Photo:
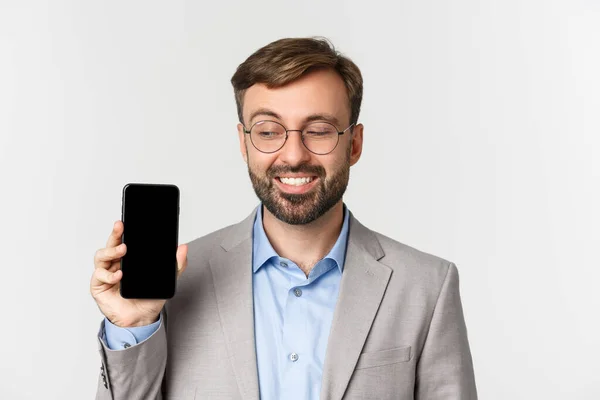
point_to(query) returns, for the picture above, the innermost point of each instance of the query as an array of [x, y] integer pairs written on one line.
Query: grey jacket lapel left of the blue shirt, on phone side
[[231, 268]]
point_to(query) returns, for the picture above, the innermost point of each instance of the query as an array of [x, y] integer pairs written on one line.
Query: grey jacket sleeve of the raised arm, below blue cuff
[[136, 372]]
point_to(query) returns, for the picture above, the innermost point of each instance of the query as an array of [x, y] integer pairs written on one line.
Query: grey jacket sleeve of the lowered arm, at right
[[445, 367]]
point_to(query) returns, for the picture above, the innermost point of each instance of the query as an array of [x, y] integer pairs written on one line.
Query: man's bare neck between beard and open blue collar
[[305, 244]]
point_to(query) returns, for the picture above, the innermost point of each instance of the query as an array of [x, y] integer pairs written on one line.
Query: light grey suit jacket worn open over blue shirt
[[398, 330]]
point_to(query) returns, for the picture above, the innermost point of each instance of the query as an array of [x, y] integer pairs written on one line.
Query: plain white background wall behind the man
[[481, 146]]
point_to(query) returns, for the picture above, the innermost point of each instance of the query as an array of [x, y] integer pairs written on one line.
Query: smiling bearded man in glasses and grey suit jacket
[[299, 300]]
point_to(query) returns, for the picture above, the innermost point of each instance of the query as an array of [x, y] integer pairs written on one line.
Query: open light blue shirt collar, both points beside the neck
[[263, 251]]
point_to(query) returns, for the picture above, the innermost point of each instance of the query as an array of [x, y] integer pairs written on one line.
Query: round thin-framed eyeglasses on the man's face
[[318, 137]]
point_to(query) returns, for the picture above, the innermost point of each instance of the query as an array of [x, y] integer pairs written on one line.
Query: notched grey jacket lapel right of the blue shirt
[[363, 284]]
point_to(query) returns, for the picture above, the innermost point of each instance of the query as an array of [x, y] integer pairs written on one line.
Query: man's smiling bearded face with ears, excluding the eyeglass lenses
[[275, 176]]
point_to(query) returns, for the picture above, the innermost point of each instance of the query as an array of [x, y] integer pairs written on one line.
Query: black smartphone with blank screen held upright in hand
[[150, 215]]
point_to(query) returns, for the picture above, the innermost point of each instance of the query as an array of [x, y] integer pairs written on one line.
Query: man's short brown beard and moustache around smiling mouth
[[302, 208]]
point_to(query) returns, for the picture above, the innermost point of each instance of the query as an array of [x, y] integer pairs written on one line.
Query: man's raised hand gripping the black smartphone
[[104, 286]]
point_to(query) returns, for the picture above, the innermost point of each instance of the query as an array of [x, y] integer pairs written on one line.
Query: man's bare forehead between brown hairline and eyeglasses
[[318, 92]]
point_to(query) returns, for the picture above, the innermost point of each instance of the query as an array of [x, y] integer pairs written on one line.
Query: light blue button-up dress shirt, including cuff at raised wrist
[[292, 315]]
